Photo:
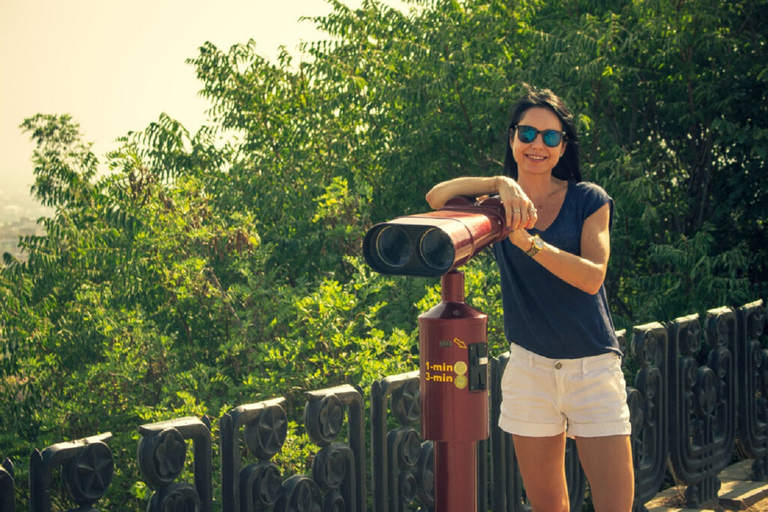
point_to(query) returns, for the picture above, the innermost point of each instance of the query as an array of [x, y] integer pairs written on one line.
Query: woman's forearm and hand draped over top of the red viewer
[[518, 208]]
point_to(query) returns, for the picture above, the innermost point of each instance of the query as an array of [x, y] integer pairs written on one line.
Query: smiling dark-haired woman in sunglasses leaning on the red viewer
[[564, 375]]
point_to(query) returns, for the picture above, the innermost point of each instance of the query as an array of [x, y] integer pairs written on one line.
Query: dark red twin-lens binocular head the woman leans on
[[432, 244]]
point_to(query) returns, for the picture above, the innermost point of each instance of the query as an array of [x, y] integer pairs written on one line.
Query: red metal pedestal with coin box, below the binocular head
[[454, 393]]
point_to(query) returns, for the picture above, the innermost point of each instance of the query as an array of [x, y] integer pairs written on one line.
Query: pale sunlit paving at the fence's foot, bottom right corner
[[737, 492]]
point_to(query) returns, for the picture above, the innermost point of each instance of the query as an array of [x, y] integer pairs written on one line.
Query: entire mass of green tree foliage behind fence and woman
[[204, 265]]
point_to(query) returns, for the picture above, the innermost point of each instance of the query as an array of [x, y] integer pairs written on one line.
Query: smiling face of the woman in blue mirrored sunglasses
[[536, 158]]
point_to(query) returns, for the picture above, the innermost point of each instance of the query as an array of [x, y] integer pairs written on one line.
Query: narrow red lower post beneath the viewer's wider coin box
[[455, 476]]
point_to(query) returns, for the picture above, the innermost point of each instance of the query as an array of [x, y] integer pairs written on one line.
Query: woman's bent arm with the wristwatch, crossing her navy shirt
[[585, 272]]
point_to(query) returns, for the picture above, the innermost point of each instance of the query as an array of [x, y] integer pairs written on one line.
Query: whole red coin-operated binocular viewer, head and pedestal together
[[452, 335]]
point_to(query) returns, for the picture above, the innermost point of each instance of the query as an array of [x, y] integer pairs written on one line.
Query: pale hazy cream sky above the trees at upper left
[[116, 65]]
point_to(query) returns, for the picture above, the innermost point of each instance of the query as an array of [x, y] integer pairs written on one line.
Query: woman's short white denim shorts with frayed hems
[[543, 397]]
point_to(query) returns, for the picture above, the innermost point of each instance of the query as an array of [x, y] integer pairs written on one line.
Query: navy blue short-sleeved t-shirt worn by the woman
[[543, 313]]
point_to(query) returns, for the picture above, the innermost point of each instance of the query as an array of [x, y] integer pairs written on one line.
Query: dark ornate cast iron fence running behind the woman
[[696, 391]]
